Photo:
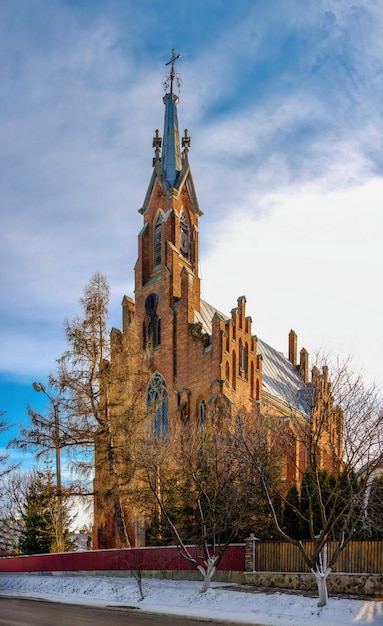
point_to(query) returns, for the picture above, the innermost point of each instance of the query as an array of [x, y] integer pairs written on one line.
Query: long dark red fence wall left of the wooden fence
[[161, 558]]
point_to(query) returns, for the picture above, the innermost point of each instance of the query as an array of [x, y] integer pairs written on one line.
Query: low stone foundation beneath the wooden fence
[[337, 583]]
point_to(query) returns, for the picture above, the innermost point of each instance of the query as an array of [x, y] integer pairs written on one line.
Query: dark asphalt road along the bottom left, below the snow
[[25, 612]]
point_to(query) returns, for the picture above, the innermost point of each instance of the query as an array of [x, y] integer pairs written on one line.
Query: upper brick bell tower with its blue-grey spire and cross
[[168, 241]]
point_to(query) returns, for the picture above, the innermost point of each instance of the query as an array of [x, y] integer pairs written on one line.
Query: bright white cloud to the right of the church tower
[[312, 263]]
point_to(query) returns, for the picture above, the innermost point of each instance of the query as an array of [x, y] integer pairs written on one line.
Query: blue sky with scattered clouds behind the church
[[282, 100]]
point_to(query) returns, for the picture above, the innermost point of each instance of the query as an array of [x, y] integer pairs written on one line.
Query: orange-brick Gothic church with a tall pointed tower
[[196, 357]]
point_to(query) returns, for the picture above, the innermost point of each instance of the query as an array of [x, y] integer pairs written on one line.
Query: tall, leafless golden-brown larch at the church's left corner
[[100, 396]]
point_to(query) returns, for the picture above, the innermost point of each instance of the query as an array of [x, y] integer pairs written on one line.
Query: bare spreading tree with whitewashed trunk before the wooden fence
[[343, 438]]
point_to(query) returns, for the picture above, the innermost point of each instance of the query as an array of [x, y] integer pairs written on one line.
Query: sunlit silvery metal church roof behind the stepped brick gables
[[280, 378]]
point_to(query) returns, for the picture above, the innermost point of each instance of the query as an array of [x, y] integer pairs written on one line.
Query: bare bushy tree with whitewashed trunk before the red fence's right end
[[203, 470]]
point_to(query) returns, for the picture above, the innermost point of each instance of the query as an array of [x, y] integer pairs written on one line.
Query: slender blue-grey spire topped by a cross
[[171, 150]]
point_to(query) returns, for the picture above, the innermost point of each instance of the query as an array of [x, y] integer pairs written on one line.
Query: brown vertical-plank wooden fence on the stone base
[[280, 556]]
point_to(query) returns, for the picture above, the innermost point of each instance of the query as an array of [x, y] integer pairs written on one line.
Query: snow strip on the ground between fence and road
[[222, 602]]
